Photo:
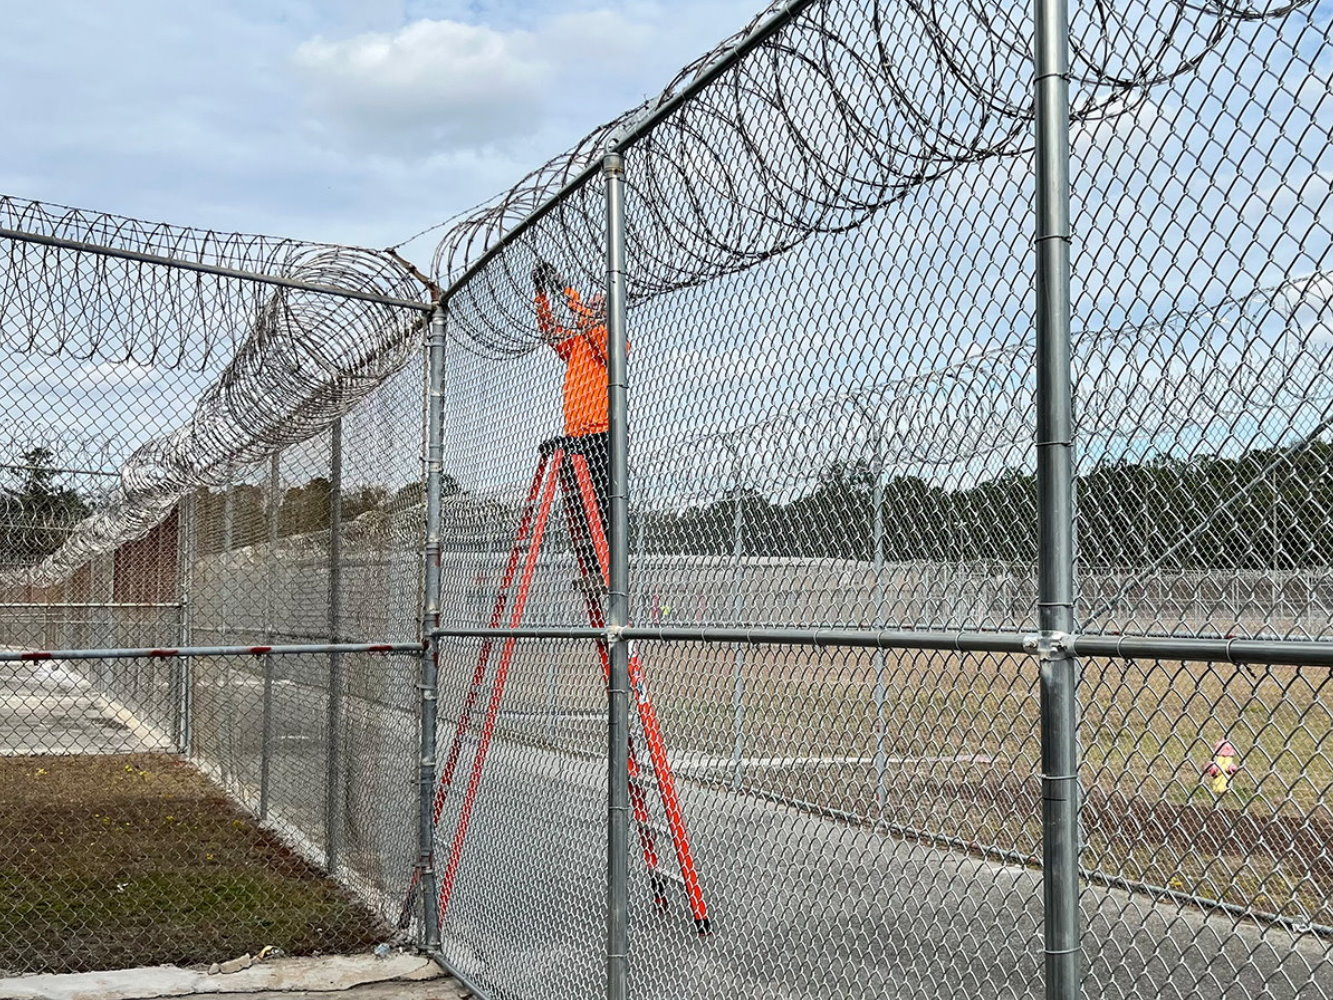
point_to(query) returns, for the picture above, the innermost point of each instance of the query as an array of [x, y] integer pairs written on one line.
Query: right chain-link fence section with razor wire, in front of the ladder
[[835, 518]]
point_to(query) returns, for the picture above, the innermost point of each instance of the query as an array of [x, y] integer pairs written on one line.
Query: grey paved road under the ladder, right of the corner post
[[806, 907]]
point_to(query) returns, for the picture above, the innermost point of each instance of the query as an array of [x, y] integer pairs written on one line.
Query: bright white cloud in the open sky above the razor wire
[[530, 89]]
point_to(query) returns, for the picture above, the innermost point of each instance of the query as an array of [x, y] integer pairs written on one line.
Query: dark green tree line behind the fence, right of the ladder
[[1268, 509]]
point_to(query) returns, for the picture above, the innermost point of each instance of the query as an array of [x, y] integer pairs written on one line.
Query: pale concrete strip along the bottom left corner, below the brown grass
[[351, 977]]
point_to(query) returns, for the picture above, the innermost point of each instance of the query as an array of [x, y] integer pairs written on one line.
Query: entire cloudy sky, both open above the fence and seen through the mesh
[[367, 122]]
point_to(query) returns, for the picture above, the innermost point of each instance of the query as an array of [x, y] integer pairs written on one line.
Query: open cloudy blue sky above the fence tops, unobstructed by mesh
[[339, 121]]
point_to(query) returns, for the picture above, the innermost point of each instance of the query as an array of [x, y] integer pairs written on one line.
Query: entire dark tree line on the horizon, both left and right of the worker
[[1264, 510]]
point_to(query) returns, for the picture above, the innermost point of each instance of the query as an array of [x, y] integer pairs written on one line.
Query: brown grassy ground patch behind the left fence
[[118, 861]]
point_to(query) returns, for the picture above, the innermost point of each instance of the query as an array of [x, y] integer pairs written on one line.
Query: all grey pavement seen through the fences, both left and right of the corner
[[802, 906]]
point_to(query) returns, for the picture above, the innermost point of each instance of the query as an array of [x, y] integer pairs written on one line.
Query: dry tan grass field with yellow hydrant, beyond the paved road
[[962, 739]]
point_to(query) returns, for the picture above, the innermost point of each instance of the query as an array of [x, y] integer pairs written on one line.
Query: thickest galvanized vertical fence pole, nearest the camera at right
[[1056, 506]]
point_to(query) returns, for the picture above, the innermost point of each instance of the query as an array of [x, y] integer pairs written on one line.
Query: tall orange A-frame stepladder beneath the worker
[[533, 526]]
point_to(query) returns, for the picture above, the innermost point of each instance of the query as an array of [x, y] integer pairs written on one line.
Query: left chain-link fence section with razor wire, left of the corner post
[[202, 545]]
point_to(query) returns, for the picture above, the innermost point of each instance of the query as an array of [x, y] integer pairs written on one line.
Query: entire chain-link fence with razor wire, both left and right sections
[[782, 646]]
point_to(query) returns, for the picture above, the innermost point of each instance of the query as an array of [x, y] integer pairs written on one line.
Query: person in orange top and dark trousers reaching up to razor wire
[[582, 346]]
